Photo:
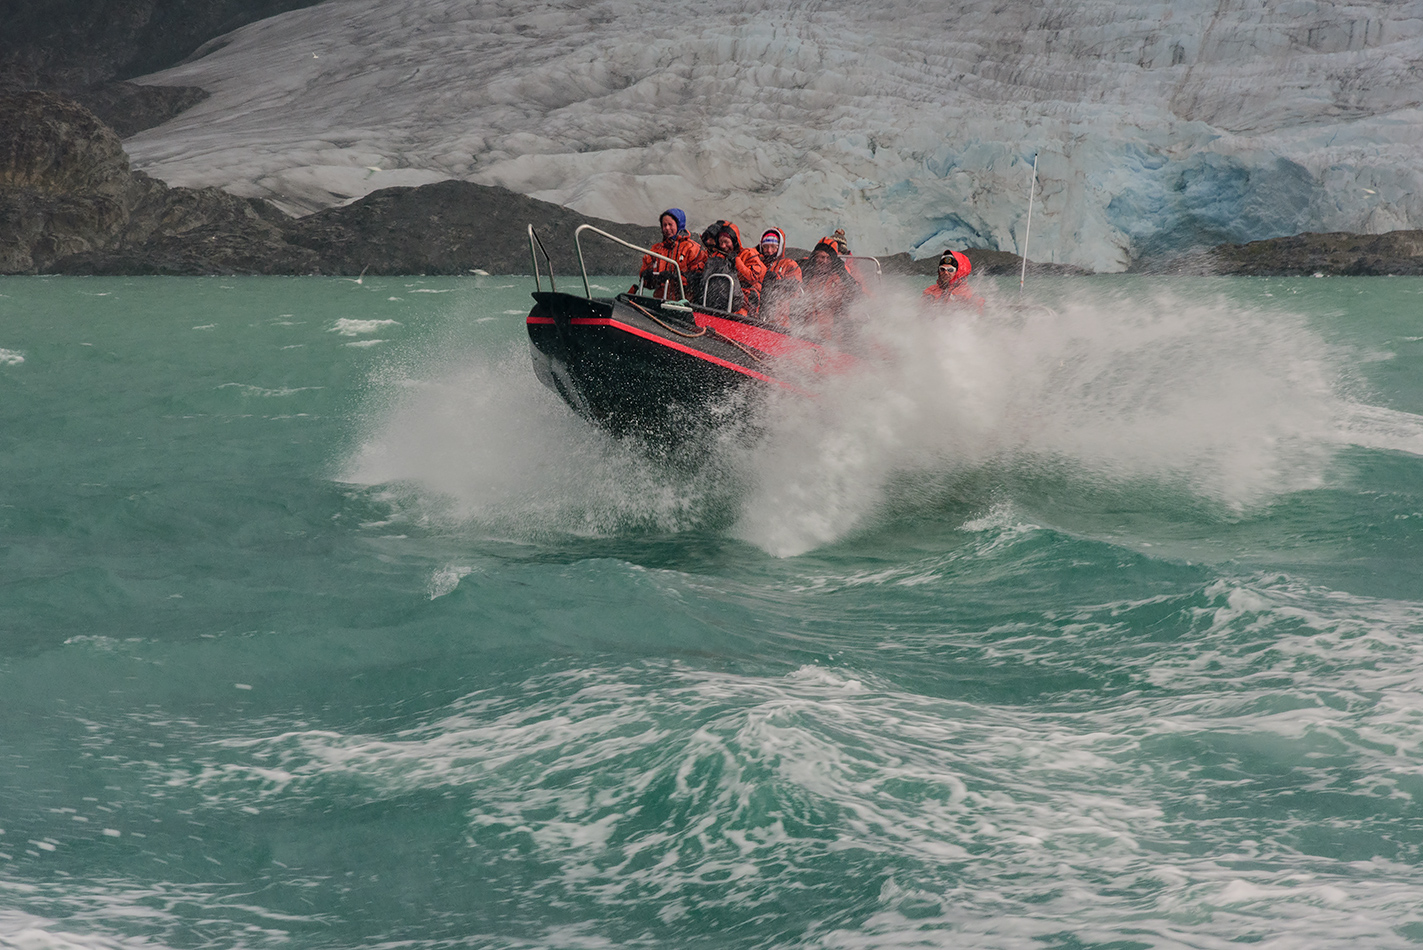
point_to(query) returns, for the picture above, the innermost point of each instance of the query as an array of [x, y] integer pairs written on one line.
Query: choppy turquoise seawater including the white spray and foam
[[324, 625]]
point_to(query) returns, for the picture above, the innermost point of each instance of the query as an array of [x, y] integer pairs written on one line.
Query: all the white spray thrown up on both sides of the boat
[[1206, 399]]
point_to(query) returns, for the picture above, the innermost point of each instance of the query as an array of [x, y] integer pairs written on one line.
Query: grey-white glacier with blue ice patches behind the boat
[[1158, 127]]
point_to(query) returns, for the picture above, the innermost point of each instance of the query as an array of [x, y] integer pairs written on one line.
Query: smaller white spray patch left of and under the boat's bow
[[477, 439]]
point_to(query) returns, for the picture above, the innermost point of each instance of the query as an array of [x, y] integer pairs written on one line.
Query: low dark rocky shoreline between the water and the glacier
[[72, 206]]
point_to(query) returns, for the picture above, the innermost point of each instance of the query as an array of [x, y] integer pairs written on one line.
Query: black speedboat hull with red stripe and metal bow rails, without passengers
[[662, 369]]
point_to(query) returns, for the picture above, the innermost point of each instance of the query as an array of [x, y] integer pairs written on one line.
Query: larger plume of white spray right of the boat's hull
[[1227, 405]]
